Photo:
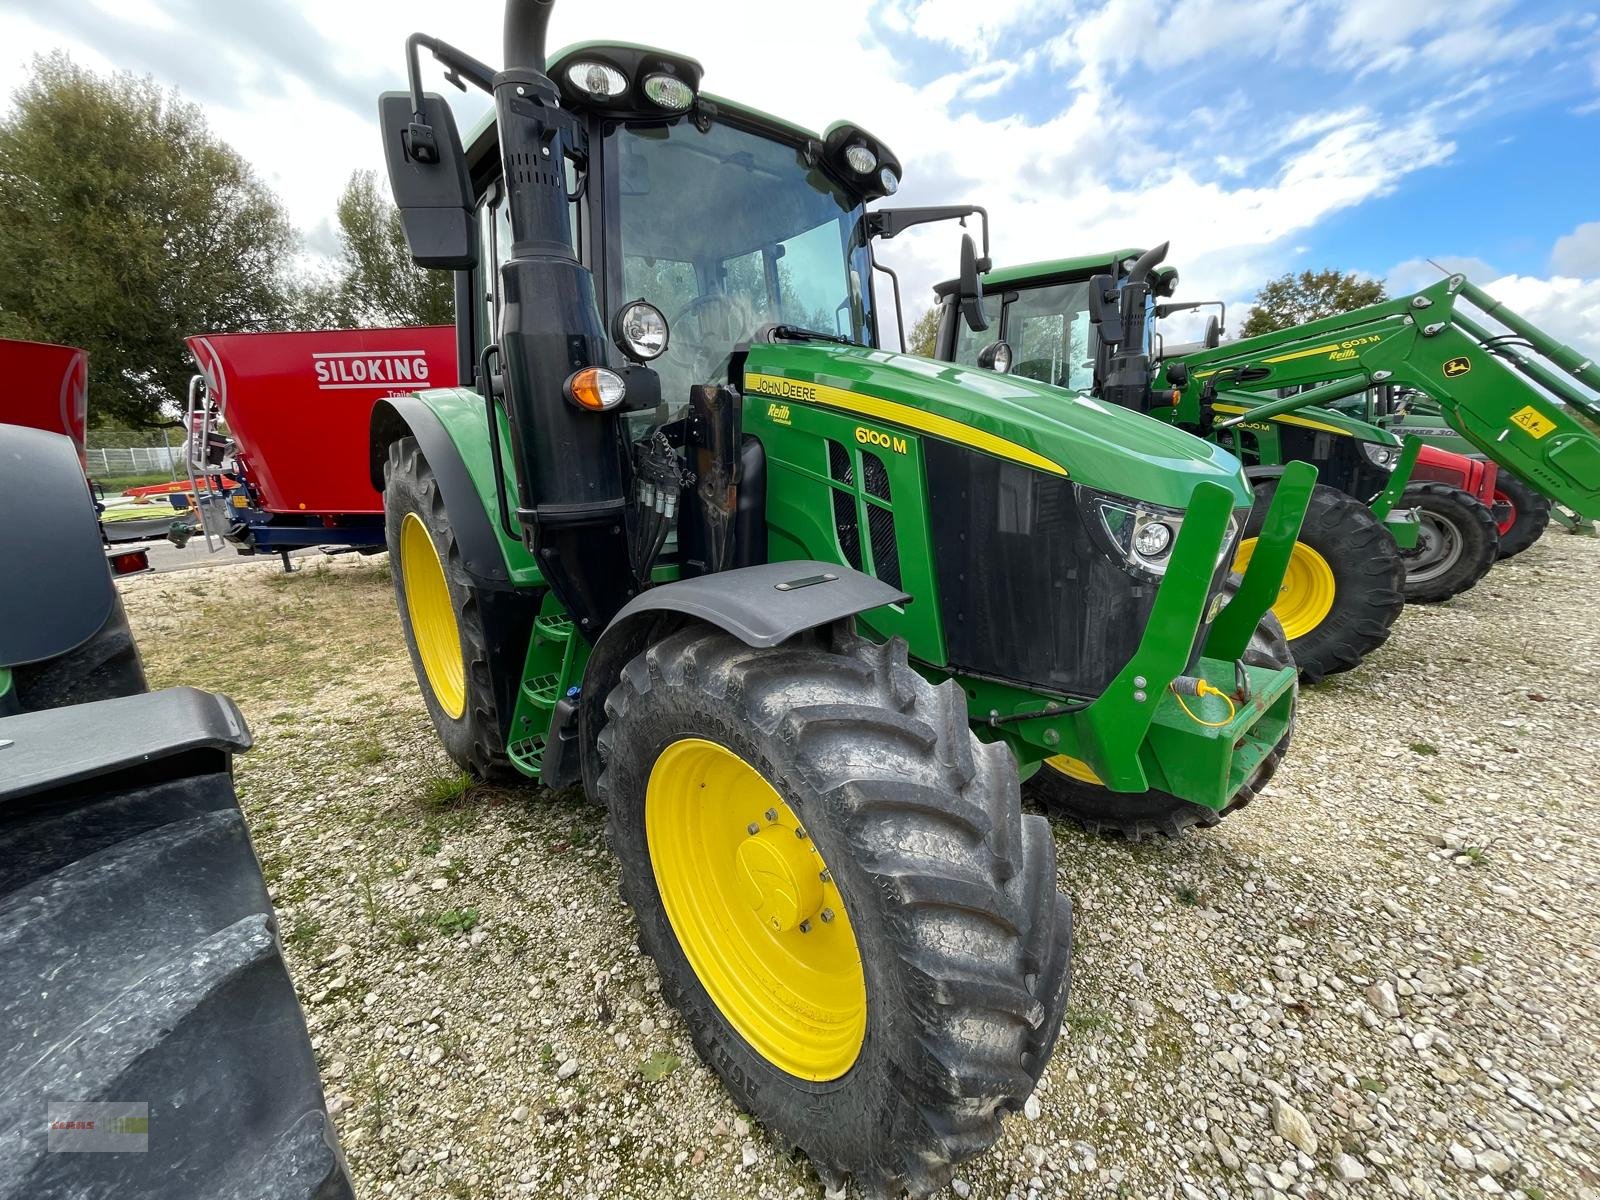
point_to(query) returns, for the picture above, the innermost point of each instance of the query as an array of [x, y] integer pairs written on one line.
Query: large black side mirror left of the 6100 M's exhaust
[[428, 177]]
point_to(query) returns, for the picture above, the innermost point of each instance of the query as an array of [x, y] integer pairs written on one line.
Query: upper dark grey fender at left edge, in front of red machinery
[[57, 590]]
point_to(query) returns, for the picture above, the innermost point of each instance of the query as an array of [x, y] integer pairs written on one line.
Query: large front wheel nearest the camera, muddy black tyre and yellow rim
[[842, 897]]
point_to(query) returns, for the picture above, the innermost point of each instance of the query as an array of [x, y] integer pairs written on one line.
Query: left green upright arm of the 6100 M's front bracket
[[1116, 726]]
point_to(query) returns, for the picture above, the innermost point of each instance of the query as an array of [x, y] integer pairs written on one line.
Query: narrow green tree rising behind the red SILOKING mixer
[[377, 282]]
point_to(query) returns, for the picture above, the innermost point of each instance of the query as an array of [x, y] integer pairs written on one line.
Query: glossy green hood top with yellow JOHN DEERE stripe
[[1038, 425]]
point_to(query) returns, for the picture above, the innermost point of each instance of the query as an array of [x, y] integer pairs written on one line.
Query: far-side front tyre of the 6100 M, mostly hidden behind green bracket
[[1068, 788]]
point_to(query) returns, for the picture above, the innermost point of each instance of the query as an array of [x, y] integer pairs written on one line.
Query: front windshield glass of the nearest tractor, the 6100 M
[[727, 231]]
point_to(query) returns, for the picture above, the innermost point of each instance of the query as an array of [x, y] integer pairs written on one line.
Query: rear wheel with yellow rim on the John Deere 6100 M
[[439, 615]]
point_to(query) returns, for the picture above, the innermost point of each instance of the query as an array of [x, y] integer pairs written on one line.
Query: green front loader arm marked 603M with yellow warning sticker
[[1529, 402]]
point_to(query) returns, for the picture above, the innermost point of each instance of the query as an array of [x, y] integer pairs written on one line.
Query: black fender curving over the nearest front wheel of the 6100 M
[[761, 606]]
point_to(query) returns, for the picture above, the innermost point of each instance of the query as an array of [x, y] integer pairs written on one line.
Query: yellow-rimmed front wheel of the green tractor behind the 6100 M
[[1343, 588]]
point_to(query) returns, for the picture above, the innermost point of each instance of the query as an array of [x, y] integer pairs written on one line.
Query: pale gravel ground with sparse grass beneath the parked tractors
[[1380, 980]]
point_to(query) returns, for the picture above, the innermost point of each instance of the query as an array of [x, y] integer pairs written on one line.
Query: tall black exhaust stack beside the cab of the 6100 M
[[570, 463]]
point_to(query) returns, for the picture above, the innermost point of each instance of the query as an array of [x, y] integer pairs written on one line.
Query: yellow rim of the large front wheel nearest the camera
[[758, 914]]
